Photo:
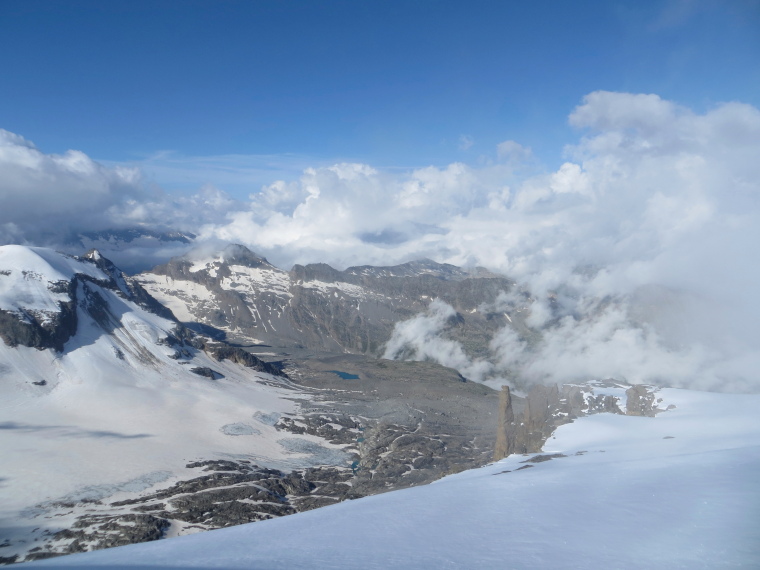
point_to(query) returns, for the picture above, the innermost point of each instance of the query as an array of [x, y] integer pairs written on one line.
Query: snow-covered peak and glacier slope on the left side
[[118, 410]]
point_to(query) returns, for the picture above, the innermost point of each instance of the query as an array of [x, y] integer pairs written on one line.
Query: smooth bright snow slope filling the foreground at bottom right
[[676, 491]]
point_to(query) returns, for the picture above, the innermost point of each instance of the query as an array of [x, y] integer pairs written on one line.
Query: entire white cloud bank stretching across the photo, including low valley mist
[[639, 252]]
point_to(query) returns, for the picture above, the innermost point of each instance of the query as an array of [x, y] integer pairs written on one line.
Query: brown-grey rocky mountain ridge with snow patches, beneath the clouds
[[240, 294]]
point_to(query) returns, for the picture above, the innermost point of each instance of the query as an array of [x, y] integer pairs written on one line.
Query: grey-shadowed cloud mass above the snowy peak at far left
[[60, 200]]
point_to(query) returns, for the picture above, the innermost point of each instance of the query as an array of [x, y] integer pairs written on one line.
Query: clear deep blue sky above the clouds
[[392, 83]]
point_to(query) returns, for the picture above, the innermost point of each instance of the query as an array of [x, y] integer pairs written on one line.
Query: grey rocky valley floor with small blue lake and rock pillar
[[398, 424]]
